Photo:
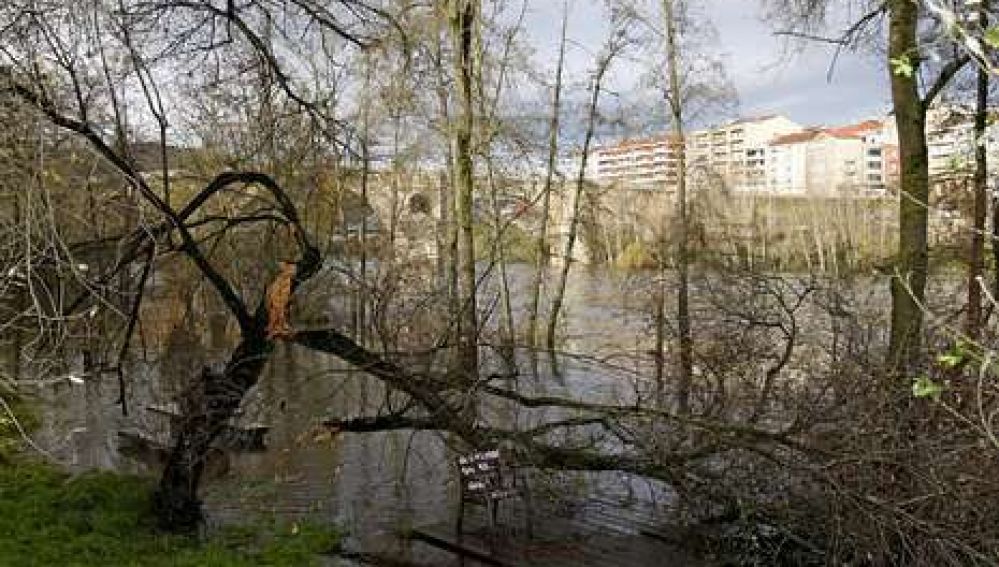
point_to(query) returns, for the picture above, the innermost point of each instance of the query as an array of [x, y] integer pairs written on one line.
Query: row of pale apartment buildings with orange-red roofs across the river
[[767, 154]]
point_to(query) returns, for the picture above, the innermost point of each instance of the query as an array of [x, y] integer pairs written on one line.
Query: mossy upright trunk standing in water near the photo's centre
[[463, 15]]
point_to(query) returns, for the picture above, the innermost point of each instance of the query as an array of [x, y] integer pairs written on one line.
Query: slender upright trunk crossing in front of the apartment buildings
[[685, 368]]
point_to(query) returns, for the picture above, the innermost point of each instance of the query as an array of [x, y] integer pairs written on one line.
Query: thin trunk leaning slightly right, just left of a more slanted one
[[541, 262]]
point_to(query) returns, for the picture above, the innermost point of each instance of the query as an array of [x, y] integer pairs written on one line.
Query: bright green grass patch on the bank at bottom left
[[49, 518]]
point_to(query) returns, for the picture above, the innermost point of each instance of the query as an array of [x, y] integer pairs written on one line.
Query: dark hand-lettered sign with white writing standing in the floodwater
[[487, 480]]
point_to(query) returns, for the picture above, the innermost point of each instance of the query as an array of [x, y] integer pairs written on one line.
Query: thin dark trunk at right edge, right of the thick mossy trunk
[[976, 260]]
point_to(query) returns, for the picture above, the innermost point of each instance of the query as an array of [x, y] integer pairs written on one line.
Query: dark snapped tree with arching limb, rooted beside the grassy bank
[[68, 65]]
